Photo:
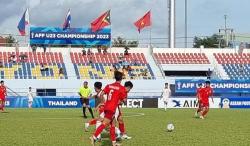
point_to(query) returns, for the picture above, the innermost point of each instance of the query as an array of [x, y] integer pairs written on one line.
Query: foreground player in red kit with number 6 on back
[[116, 93]]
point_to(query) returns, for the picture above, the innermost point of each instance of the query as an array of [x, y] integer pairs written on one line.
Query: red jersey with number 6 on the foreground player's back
[[115, 93]]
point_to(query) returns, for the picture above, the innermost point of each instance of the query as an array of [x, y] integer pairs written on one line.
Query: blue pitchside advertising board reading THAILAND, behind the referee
[[46, 102]]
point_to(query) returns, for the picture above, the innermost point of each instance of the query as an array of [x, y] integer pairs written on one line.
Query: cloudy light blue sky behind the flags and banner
[[205, 17]]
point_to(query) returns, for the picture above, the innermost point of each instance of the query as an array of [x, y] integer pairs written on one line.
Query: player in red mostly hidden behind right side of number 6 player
[[128, 85]]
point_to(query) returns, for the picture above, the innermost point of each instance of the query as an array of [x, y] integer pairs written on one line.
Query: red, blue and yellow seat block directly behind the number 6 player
[[101, 66]]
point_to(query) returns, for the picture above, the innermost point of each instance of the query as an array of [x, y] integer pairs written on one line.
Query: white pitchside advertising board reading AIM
[[188, 102]]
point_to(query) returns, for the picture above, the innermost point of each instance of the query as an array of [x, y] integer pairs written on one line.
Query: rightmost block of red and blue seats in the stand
[[237, 66]]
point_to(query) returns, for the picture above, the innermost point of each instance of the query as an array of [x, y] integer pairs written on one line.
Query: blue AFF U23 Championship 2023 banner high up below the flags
[[74, 36]]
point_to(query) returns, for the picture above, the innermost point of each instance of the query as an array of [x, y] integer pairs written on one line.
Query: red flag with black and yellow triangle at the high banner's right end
[[101, 22]]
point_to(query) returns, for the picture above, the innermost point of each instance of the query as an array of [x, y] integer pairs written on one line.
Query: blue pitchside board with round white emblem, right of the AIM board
[[235, 102]]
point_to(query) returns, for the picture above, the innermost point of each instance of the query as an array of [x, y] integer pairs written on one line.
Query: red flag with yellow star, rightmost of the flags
[[144, 21]]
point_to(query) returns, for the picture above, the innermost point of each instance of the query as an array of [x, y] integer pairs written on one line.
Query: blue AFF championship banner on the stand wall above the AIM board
[[219, 86]]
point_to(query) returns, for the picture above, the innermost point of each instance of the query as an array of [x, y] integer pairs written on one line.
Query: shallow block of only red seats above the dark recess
[[181, 58]]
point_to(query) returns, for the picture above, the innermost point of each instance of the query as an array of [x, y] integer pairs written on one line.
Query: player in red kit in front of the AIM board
[[206, 92]]
